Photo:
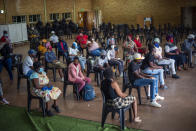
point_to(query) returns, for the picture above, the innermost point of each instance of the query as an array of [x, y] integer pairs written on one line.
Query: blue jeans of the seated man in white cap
[[153, 85]]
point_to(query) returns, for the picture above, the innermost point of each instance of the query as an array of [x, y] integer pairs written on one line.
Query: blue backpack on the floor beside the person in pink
[[89, 93]]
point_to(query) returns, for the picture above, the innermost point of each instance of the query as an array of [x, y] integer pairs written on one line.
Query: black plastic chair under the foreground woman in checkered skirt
[[106, 109]]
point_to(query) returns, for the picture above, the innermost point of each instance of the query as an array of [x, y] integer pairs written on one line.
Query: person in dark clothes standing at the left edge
[[6, 59]]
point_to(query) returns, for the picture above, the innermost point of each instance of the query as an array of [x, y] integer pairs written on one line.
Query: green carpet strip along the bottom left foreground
[[18, 119]]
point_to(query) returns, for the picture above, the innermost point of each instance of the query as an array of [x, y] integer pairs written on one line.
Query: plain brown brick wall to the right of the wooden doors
[[132, 11]]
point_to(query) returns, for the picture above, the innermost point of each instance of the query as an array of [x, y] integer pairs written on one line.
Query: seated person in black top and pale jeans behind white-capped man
[[151, 68]]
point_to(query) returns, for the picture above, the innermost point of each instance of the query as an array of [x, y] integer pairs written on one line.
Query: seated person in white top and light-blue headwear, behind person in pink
[[73, 52]]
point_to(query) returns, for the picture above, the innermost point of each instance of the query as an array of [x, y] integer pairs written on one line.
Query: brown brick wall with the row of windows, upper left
[[29, 7]]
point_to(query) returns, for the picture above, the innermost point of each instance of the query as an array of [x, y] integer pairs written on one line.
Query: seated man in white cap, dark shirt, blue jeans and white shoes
[[138, 79]]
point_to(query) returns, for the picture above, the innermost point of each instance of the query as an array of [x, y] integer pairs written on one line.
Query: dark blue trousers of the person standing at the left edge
[[8, 66]]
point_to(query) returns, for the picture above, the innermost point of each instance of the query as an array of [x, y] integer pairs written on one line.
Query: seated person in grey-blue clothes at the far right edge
[[187, 47]]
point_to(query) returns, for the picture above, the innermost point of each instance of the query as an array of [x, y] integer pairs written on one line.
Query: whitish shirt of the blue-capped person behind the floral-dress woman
[[26, 65]]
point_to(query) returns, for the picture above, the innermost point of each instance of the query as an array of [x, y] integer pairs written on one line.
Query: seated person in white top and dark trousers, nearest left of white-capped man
[[115, 61]]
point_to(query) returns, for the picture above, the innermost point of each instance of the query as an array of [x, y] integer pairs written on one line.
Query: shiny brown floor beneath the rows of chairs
[[177, 112]]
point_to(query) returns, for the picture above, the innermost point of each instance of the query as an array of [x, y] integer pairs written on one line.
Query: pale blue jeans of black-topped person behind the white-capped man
[[159, 72]]
